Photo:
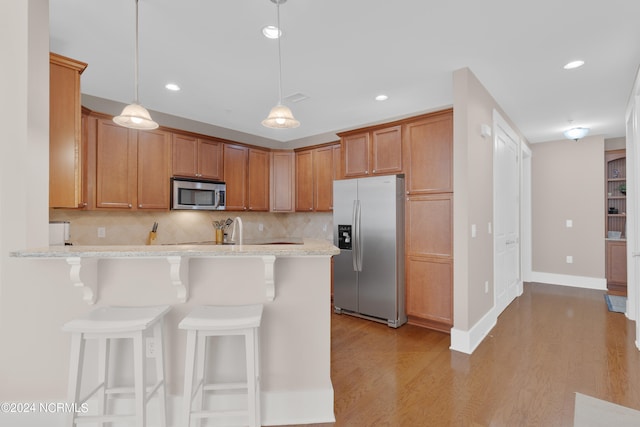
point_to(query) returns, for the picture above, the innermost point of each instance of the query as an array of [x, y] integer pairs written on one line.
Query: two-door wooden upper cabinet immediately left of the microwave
[[132, 168]]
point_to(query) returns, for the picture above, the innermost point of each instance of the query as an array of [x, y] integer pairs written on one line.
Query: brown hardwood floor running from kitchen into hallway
[[549, 343]]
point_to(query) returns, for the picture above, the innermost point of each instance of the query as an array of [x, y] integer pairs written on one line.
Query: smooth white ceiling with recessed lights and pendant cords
[[341, 53]]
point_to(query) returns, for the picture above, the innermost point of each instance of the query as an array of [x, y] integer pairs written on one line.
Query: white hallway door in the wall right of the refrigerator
[[506, 209]]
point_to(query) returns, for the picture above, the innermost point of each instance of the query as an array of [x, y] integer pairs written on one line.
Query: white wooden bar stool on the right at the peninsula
[[212, 321]]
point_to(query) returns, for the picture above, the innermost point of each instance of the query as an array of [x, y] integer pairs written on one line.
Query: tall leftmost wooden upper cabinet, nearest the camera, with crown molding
[[65, 133]]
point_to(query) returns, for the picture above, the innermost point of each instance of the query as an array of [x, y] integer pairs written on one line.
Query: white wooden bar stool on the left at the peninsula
[[105, 324]]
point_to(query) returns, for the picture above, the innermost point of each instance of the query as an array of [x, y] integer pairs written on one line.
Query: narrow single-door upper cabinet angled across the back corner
[[282, 181]]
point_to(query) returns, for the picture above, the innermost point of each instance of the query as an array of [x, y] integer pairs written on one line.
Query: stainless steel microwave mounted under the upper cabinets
[[197, 194]]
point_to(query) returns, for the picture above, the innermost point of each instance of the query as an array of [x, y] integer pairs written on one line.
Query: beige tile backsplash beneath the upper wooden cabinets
[[132, 228]]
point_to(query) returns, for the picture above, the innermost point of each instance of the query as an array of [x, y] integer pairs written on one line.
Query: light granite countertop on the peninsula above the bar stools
[[308, 247]]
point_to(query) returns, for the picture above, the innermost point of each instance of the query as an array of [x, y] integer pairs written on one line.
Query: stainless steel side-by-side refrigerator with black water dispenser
[[368, 227]]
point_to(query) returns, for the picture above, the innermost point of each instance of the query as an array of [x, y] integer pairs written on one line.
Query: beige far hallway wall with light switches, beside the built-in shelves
[[568, 184]]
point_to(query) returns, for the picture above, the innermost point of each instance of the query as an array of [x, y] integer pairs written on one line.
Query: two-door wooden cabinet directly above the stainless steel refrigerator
[[375, 151]]
